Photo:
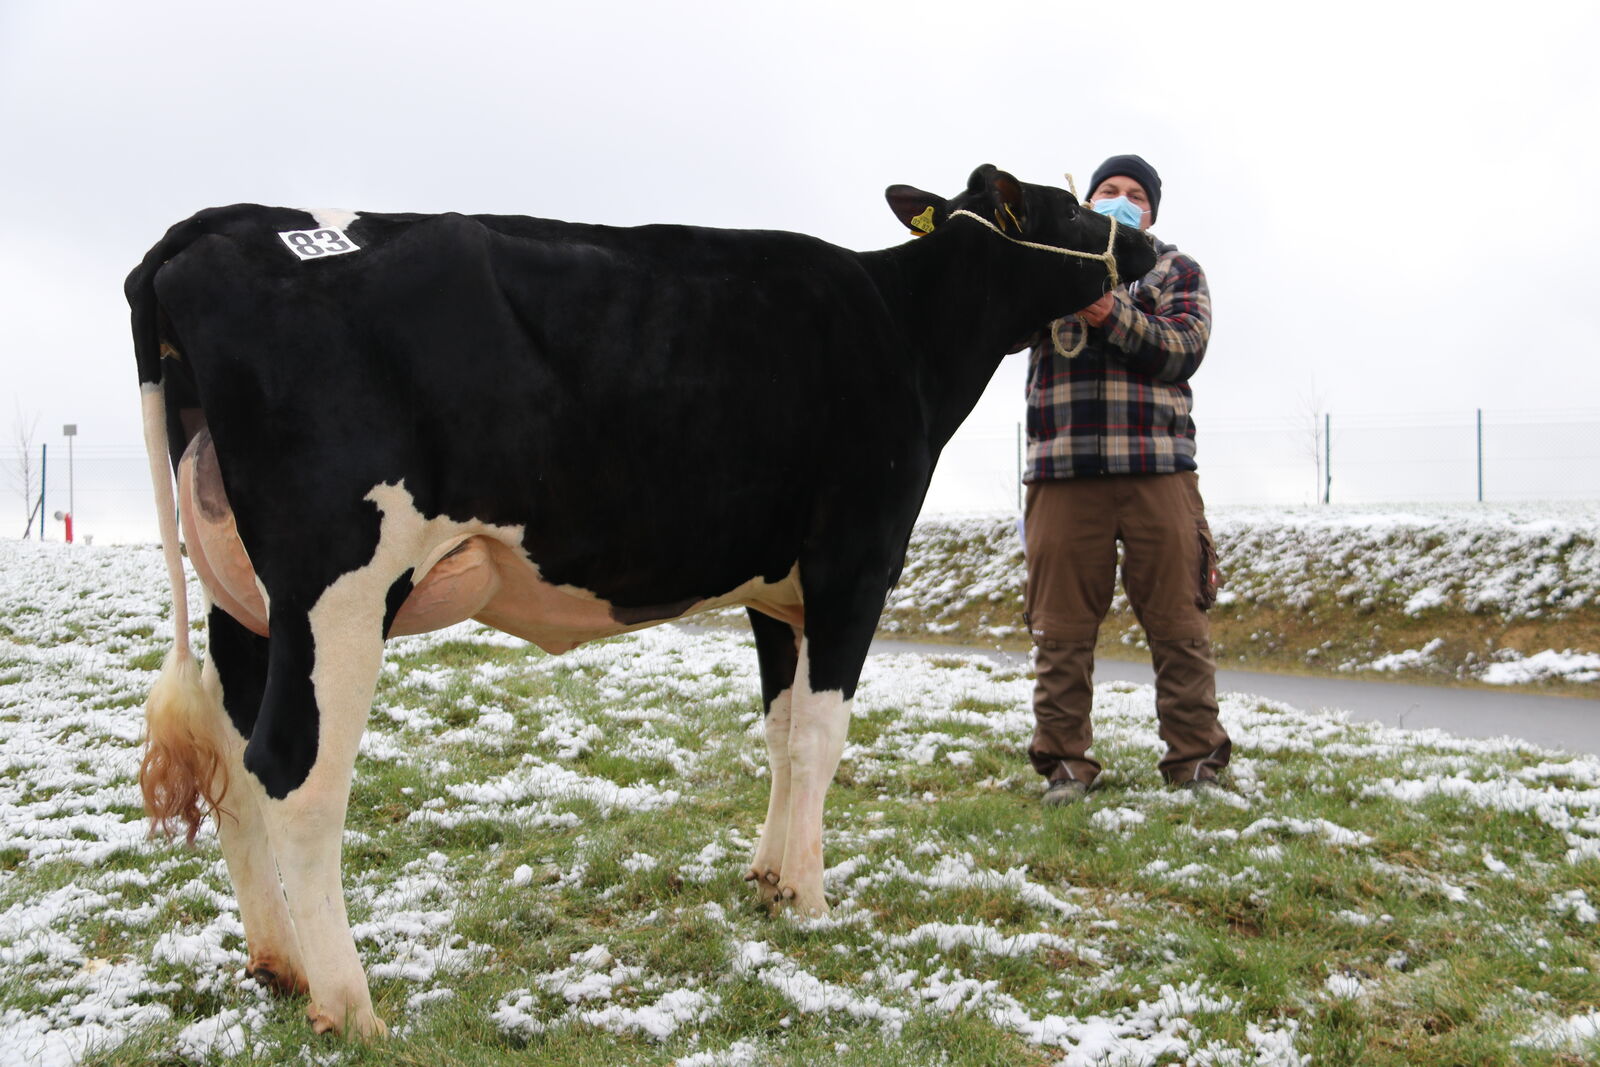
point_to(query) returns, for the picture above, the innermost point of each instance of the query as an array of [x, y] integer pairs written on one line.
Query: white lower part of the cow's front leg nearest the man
[[817, 741]]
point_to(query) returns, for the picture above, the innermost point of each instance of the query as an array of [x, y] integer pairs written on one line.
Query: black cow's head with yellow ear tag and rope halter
[[1039, 215]]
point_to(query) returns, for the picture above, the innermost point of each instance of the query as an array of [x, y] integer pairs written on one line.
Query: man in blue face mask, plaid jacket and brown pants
[[1111, 457]]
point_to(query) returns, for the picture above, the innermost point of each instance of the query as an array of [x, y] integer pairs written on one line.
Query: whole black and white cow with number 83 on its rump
[[391, 423]]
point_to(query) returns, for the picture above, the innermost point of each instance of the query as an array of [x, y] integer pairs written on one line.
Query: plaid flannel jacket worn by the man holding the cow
[[1122, 404]]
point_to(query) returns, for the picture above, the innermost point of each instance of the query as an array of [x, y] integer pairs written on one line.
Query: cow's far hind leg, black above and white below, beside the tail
[[236, 673]]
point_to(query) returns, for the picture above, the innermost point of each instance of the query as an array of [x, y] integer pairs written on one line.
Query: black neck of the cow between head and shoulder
[[966, 298]]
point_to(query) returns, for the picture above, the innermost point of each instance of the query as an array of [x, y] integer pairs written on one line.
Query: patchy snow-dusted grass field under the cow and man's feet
[[545, 866]]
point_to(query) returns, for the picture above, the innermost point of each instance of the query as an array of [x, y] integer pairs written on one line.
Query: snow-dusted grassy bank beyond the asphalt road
[[1463, 583]]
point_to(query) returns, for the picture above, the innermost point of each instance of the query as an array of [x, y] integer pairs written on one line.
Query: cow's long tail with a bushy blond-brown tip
[[183, 775]]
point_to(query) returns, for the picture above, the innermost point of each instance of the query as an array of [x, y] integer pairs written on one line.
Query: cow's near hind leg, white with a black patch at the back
[[321, 679]]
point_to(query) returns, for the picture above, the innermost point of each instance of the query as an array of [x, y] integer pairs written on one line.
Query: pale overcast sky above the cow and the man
[[1394, 202]]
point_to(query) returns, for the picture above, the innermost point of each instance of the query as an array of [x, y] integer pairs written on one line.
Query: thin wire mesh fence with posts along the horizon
[[1350, 458]]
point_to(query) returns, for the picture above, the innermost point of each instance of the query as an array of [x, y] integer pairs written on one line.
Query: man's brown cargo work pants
[[1169, 572]]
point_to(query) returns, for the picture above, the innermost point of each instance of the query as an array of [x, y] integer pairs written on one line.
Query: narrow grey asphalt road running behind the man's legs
[[1556, 722]]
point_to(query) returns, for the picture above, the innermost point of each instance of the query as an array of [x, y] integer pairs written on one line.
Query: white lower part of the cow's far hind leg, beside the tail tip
[[270, 933]]
